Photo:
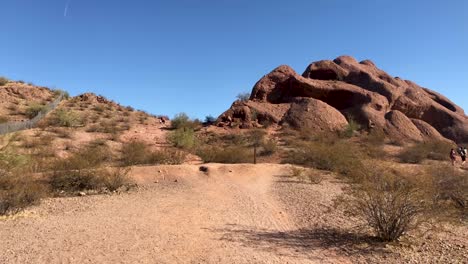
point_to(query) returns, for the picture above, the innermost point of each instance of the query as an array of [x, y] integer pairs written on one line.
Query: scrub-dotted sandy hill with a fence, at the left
[[74, 123]]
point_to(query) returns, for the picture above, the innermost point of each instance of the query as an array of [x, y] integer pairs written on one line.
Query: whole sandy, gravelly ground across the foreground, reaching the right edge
[[232, 214]]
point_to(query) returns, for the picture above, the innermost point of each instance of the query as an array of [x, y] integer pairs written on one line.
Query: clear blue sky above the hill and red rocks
[[195, 56]]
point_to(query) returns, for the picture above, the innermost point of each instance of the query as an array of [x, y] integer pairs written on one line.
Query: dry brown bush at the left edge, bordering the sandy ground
[[18, 192]]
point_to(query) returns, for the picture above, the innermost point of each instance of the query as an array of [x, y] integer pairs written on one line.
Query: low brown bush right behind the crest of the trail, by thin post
[[231, 154]]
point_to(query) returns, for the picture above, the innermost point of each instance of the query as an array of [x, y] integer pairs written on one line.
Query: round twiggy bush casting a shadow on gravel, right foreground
[[390, 204]]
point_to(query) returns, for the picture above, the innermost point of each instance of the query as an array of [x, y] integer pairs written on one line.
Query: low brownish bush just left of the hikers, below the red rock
[[436, 150]]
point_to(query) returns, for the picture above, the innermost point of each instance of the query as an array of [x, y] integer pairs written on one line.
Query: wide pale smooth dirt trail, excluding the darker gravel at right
[[217, 217]]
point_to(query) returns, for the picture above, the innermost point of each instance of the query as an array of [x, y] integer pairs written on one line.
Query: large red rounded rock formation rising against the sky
[[331, 93]]
